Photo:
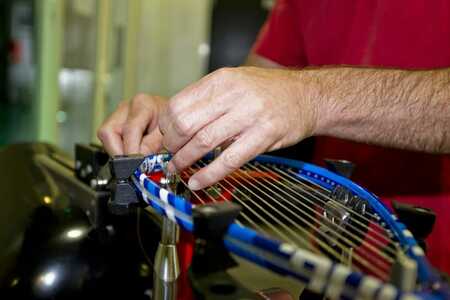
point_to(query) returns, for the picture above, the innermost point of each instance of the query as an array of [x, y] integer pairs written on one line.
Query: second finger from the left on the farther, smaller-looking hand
[[141, 112]]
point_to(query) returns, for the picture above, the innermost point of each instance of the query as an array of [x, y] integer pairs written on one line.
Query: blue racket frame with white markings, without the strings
[[318, 273]]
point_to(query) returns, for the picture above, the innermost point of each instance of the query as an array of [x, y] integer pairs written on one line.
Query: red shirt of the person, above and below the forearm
[[406, 34]]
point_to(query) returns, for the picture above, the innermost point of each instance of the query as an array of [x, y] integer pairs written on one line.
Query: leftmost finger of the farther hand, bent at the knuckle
[[110, 132]]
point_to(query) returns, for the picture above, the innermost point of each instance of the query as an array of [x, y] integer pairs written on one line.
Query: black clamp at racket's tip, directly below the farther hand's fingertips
[[123, 192]]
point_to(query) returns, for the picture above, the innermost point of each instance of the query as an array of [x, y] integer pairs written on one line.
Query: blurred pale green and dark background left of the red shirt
[[65, 64]]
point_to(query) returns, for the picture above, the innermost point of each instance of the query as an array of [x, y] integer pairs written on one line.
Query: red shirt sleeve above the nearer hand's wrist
[[280, 38]]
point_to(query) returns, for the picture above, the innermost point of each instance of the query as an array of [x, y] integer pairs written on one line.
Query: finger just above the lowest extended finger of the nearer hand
[[208, 138]]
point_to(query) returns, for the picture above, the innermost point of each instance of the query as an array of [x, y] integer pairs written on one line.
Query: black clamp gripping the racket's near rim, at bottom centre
[[211, 259]]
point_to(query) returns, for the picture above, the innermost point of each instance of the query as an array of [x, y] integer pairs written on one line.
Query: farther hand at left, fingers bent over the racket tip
[[133, 127]]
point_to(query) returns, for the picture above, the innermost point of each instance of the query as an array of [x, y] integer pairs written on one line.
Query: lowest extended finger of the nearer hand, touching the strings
[[249, 145]]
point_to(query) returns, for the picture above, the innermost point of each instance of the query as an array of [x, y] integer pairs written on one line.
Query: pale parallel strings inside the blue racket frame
[[278, 203]]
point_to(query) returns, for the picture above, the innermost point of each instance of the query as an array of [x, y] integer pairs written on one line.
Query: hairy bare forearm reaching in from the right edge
[[403, 109]]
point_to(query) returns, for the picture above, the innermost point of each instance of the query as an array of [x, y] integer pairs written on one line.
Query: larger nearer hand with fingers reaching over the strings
[[252, 109]]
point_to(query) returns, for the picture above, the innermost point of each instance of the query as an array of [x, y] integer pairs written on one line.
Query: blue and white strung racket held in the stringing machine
[[306, 222]]
